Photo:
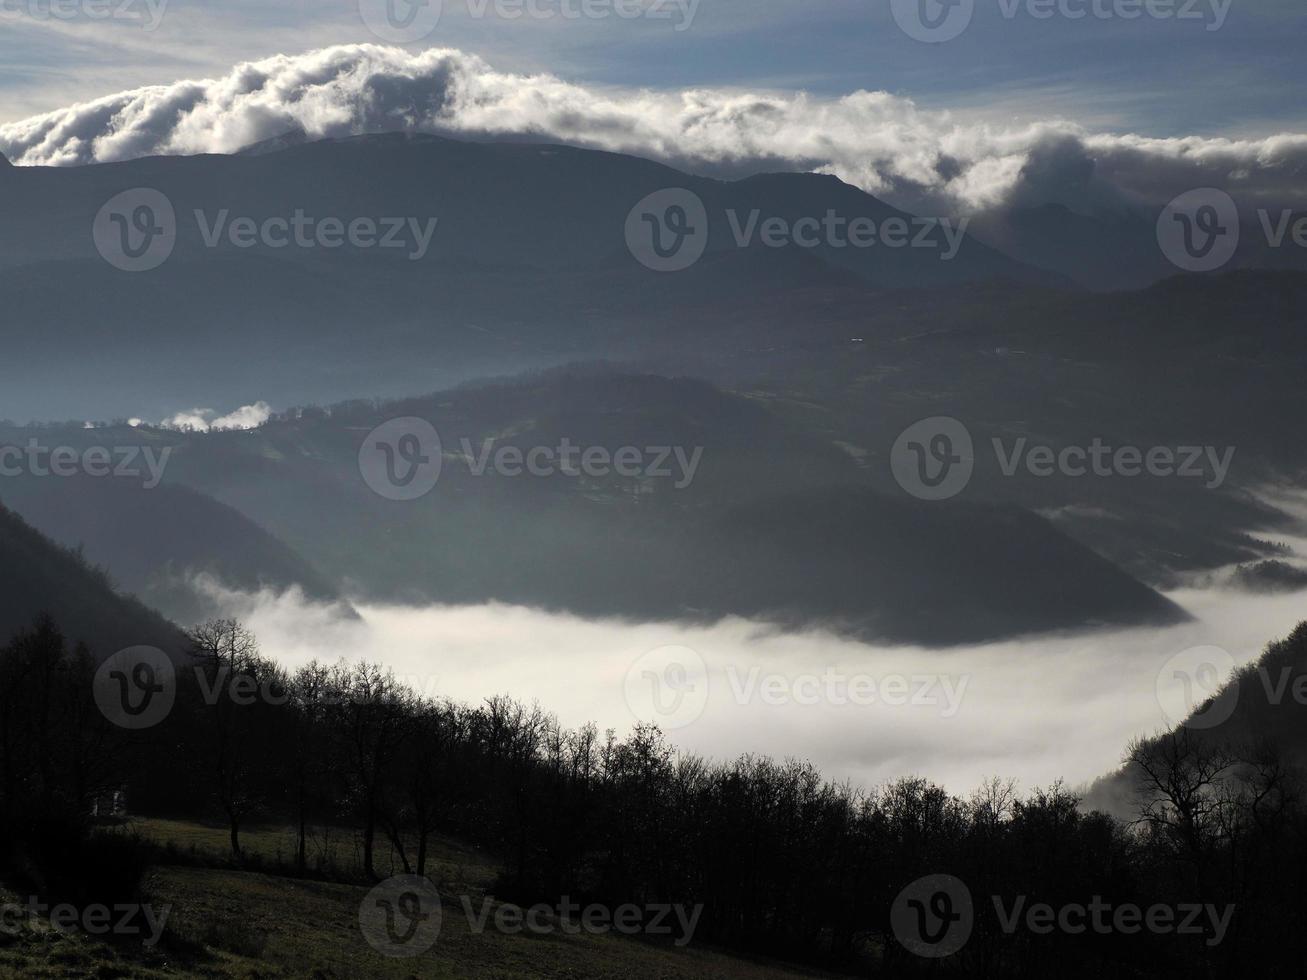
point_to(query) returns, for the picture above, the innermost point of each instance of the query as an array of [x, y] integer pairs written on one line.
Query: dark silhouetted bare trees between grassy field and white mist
[[782, 862]]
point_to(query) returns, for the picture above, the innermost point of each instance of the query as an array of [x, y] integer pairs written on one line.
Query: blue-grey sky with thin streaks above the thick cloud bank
[[1152, 67]]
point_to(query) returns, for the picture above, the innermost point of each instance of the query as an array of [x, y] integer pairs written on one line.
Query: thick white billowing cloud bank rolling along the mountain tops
[[883, 143]]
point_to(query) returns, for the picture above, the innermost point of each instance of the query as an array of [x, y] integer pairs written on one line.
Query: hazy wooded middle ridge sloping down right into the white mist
[[773, 523]]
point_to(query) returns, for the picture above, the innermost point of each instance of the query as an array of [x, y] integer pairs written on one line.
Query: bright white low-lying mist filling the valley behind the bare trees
[[1036, 710]]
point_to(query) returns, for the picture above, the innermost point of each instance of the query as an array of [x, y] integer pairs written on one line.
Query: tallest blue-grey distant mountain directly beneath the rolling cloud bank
[[529, 266]]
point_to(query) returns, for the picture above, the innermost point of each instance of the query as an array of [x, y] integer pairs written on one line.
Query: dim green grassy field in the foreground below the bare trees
[[239, 923]]
